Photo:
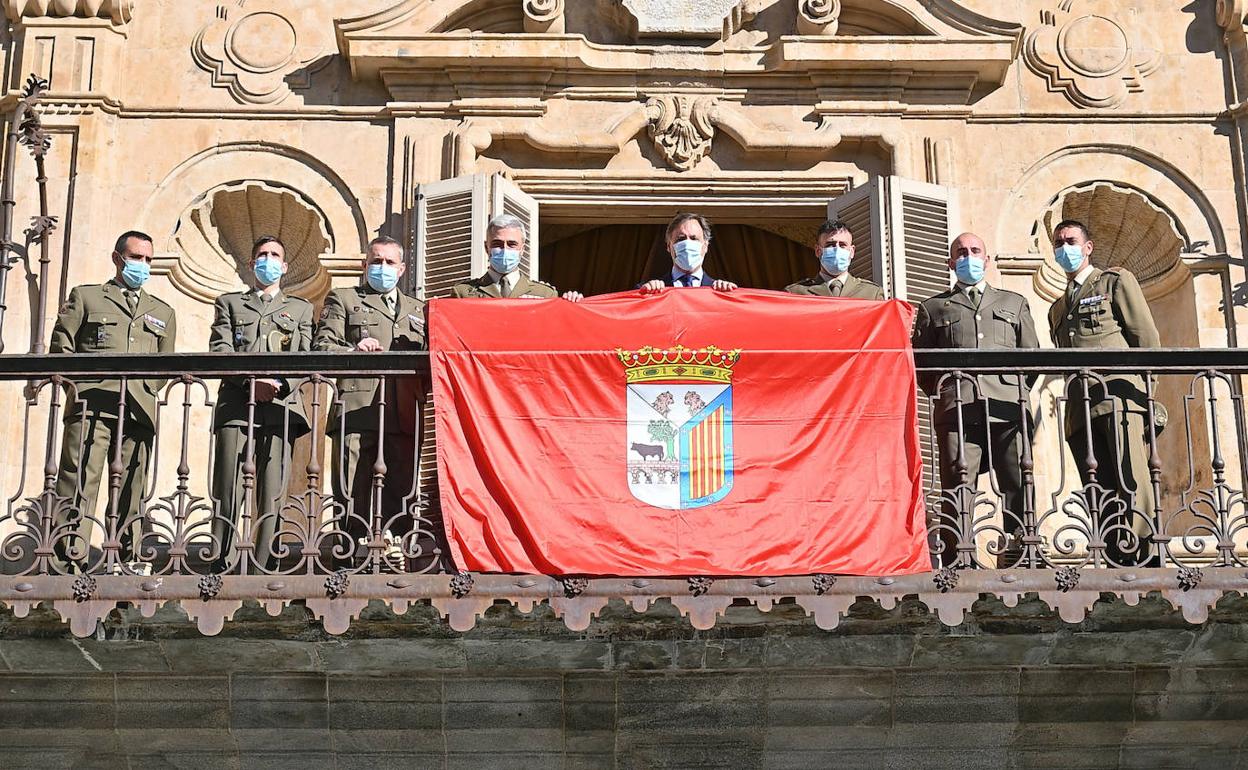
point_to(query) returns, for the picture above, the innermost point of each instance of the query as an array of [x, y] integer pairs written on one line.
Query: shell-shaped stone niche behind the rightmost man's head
[[1128, 229]]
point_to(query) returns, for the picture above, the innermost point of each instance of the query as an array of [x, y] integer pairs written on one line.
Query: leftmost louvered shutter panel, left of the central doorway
[[450, 234]]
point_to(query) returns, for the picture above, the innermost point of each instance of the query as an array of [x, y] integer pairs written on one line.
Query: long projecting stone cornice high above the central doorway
[[895, 68]]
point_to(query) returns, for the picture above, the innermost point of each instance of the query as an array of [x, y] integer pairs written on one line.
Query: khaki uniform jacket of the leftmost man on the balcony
[[97, 319]]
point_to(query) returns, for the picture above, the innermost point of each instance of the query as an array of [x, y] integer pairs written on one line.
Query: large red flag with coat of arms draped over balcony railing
[[685, 434]]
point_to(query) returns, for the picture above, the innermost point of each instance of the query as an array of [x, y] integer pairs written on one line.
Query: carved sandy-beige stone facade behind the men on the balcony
[[207, 124]]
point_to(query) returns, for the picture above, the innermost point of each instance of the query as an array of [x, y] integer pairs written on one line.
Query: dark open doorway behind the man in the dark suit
[[603, 259]]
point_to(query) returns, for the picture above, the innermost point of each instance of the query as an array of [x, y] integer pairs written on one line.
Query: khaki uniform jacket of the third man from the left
[[351, 315]]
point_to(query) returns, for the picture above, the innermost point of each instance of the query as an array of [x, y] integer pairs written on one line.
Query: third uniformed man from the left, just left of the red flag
[[369, 319]]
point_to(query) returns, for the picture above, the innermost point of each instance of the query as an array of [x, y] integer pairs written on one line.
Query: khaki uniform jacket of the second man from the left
[[244, 323]]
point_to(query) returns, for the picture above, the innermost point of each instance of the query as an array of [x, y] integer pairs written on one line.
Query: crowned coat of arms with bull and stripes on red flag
[[680, 437]]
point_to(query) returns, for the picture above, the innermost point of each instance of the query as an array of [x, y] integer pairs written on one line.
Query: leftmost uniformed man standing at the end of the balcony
[[113, 318]]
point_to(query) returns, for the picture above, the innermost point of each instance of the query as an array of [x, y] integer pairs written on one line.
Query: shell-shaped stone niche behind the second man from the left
[[217, 233]]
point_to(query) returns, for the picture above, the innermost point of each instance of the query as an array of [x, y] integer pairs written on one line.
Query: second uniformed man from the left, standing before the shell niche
[[261, 320]]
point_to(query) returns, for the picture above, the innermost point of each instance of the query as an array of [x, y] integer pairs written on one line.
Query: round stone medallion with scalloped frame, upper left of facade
[[256, 53]]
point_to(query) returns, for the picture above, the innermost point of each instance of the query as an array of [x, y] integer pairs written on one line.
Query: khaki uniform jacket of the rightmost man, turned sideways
[[1110, 313]]
